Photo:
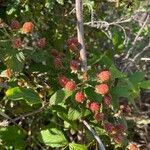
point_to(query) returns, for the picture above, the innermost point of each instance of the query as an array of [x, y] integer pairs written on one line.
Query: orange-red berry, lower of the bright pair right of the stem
[[102, 89]]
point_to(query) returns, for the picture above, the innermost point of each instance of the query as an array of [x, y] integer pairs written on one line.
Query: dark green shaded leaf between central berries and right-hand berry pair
[[92, 95]]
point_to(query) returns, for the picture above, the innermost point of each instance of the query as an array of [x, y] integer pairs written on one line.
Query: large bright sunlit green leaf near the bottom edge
[[53, 138]]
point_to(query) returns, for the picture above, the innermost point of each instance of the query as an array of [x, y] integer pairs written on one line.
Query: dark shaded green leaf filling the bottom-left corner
[[12, 136]]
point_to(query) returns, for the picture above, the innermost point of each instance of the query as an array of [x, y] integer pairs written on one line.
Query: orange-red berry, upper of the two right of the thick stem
[[104, 76]]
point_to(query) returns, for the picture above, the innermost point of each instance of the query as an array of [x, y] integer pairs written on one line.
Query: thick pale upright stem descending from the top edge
[[80, 33]]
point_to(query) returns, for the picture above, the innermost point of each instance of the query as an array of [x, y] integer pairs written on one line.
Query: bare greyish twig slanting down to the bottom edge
[[101, 145]]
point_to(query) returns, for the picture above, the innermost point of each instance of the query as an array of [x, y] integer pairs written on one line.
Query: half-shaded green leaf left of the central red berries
[[59, 96]]
